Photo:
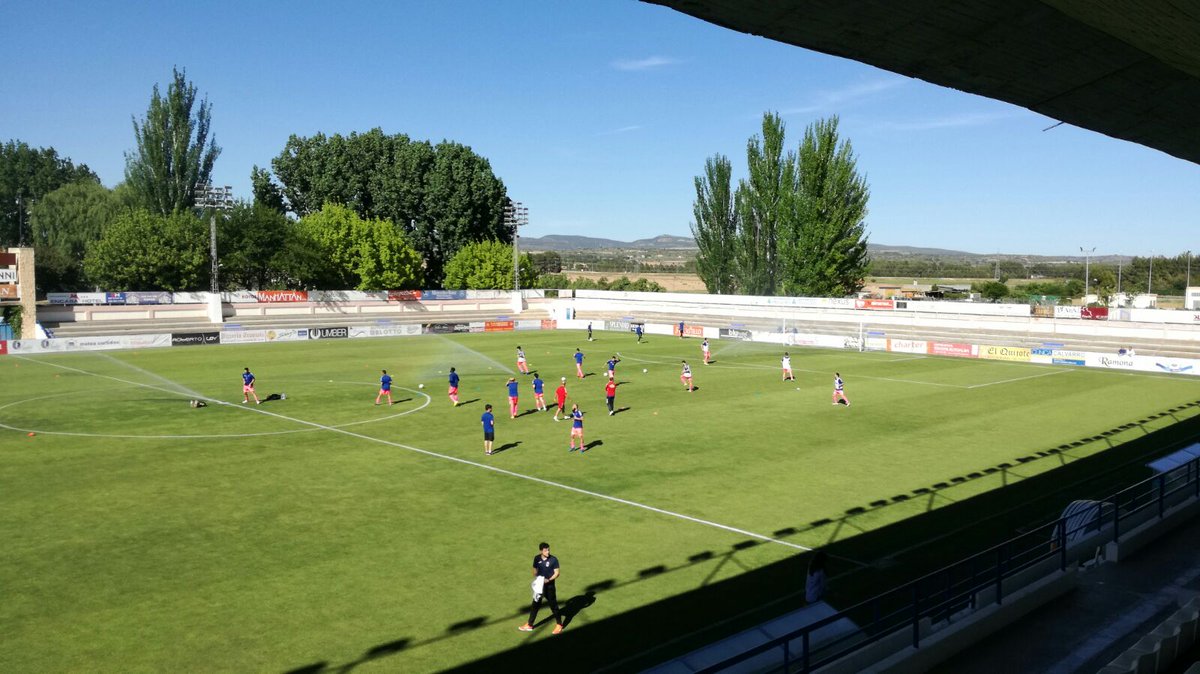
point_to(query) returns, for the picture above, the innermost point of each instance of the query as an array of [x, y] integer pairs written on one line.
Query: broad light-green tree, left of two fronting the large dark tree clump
[[365, 255]]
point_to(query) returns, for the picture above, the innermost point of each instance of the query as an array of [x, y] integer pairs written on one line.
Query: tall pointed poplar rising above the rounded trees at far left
[[175, 154]]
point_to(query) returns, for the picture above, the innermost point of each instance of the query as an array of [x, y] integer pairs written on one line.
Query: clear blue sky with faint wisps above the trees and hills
[[597, 116]]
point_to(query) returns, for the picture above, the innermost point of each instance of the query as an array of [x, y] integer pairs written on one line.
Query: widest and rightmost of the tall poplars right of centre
[[826, 250]]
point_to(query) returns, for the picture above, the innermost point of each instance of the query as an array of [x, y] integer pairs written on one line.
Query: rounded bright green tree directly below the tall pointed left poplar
[[145, 251]]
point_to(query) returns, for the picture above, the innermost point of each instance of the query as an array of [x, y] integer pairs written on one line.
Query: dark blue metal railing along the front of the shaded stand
[[980, 579]]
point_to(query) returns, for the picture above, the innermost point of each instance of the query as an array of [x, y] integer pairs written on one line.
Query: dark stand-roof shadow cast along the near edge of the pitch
[[883, 559]]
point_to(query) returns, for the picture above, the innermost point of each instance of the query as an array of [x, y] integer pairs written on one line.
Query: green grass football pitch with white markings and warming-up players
[[142, 535]]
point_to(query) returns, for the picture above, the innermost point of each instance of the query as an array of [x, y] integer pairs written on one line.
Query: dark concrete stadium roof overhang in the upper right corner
[[1126, 69]]
